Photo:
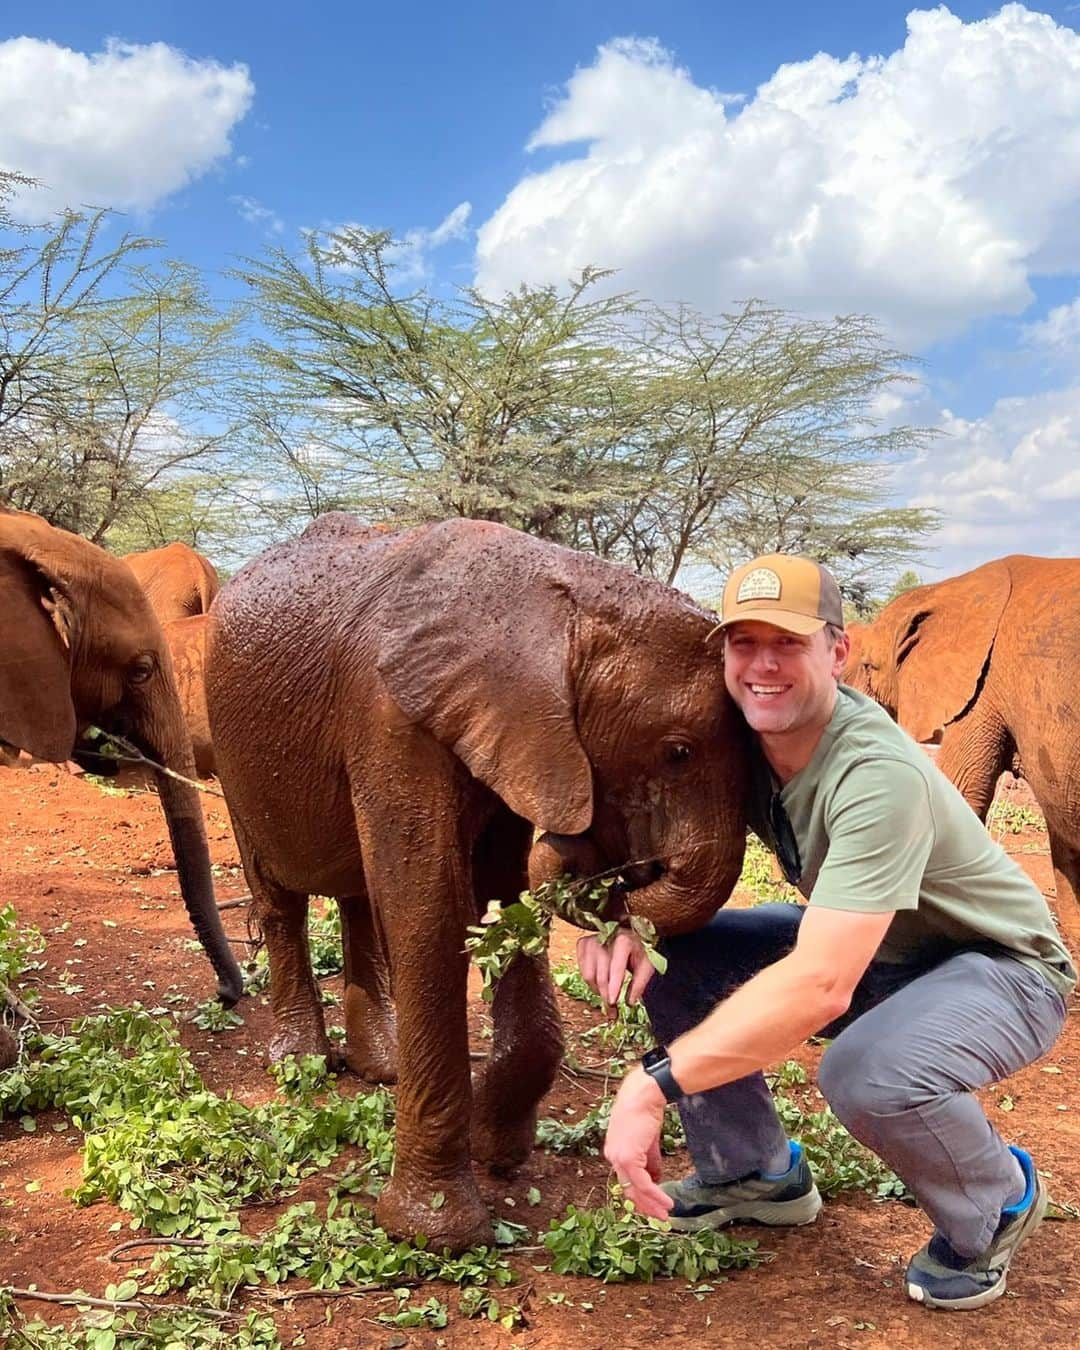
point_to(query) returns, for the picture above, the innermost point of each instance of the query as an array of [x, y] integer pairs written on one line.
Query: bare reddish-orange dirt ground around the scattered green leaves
[[78, 862]]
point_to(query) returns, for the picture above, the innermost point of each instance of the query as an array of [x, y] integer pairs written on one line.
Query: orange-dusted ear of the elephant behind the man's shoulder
[[943, 646]]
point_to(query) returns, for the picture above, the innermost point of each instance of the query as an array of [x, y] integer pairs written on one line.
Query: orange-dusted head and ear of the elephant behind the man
[[924, 657]]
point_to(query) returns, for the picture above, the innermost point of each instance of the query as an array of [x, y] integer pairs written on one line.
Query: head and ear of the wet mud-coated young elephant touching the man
[[589, 700]]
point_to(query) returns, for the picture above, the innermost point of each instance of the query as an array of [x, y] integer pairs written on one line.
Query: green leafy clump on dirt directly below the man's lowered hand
[[615, 1244]]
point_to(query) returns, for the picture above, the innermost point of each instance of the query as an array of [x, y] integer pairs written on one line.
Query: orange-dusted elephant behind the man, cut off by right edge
[[988, 664]]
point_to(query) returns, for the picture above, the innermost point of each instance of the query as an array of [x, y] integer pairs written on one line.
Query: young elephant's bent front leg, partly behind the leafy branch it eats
[[527, 1046]]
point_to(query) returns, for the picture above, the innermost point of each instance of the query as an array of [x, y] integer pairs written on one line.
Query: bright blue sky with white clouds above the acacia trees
[[828, 157]]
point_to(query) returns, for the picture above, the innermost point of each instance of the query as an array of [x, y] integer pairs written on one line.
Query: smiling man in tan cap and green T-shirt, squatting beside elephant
[[924, 951]]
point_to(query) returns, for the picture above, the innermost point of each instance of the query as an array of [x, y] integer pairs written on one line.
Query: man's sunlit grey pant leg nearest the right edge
[[901, 1079]]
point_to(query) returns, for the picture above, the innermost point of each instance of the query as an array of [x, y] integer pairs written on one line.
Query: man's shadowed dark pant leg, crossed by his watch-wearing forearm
[[731, 1131]]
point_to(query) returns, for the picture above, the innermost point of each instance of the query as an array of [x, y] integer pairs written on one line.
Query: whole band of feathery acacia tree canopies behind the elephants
[[136, 408]]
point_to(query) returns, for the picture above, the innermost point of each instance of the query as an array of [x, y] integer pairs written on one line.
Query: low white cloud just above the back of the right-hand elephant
[[1006, 483]]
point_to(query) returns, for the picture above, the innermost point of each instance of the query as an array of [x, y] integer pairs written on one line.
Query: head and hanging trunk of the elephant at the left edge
[[82, 647]]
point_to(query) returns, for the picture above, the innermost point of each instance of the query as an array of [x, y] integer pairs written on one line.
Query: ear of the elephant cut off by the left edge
[[37, 712]]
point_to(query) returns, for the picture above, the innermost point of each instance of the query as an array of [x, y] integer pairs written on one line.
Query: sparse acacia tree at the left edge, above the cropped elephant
[[113, 377]]
